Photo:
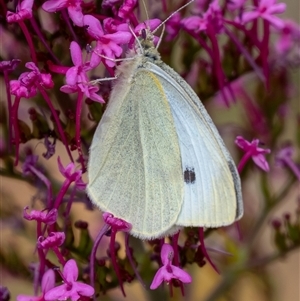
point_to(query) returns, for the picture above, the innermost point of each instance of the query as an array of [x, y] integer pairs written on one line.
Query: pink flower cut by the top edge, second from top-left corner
[[73, 6]]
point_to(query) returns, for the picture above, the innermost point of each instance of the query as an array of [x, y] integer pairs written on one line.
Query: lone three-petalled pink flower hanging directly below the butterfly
[[168, 271]]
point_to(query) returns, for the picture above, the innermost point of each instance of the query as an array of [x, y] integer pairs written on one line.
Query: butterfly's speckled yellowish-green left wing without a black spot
[[135, 165]]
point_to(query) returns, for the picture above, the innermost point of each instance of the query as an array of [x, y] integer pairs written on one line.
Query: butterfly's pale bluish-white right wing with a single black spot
[[212, 189]]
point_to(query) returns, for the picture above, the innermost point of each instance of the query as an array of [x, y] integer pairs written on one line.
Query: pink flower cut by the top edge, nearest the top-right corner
[[266, 10]]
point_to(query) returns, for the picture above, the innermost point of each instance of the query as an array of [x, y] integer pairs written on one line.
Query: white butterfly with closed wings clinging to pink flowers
[[157, 160]]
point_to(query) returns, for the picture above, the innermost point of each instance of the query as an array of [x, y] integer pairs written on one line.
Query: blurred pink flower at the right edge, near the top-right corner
[[289, 36]]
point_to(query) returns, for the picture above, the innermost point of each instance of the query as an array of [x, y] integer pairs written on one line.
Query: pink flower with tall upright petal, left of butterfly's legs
[[77, 78]]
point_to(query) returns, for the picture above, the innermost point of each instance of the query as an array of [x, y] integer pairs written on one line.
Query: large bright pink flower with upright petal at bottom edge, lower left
[[71, 288]]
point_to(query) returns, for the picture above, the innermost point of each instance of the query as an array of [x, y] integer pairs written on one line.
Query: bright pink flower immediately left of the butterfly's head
[[108, 45]]
